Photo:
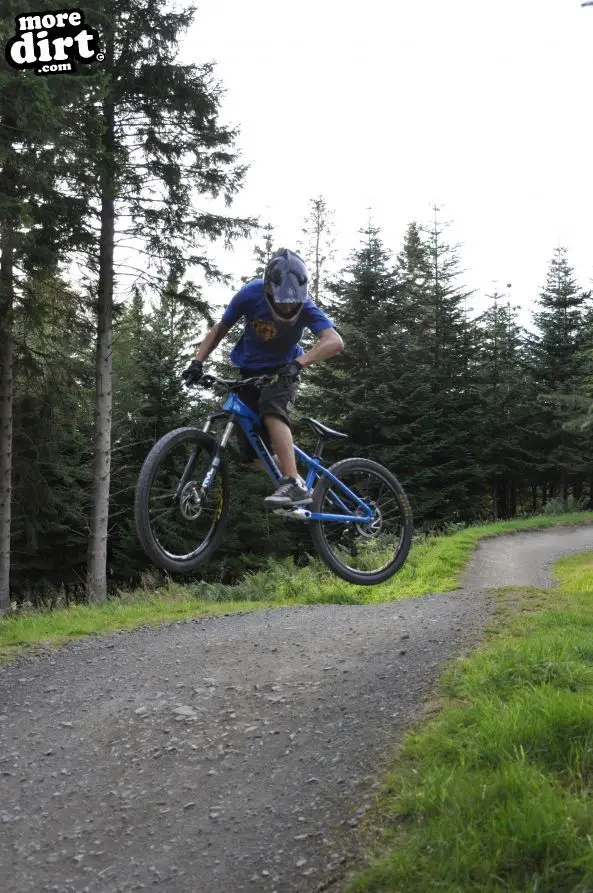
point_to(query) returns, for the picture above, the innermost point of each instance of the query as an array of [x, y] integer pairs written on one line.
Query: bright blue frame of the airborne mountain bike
[[239, 413]]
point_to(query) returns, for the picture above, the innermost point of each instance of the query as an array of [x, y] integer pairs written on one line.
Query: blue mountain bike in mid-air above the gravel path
[[360, 518]]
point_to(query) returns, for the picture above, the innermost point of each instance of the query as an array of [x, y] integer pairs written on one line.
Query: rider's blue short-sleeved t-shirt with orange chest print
[[265, 341]]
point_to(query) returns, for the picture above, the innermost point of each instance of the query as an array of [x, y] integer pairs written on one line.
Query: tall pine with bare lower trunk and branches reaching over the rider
[[162, 141]]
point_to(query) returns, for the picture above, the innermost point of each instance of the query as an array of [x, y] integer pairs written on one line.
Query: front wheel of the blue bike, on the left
[[180, 524]]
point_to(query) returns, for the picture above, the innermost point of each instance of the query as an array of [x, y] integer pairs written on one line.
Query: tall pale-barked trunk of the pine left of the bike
[[97, 549]]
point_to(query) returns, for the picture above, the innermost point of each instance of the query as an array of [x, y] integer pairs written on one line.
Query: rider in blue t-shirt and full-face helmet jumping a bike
[[276, 309]]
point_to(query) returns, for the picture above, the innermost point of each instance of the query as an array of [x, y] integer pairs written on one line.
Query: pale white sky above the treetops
[[483, 108]]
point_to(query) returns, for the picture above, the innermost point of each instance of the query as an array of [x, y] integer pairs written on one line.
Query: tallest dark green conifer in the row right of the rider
[[439, 358]]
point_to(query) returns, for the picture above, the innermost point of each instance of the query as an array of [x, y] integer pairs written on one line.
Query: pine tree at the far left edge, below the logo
[[39, 218]]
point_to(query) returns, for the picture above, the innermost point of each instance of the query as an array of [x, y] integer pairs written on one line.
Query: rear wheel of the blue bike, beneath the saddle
[[366, 553]]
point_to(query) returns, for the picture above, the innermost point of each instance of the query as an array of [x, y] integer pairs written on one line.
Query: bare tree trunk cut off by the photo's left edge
[[6, 397]]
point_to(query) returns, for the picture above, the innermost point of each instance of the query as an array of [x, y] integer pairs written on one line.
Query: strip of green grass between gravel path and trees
[[434, 565]]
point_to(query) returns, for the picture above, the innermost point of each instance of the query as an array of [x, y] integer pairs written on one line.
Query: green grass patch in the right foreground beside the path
[[494, 794]]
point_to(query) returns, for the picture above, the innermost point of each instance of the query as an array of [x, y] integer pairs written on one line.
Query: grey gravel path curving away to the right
[[228, 754]]
